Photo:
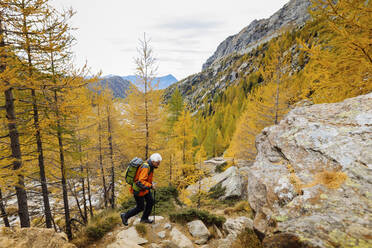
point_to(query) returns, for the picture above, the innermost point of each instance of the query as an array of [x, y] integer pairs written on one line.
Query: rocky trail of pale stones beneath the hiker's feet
[[167, 234]]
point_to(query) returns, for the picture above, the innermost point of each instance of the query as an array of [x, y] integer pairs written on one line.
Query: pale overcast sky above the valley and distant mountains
[[184, 33]]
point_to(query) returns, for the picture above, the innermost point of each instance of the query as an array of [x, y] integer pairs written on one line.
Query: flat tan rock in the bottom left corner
[[33, 238]]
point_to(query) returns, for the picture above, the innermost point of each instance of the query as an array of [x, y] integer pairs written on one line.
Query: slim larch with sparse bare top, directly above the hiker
[[144, 111]]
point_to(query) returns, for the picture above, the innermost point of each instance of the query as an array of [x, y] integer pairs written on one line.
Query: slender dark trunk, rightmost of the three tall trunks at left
[[63, 171]]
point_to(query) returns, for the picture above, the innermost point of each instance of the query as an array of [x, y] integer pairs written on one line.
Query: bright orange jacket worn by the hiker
[[143, 179]]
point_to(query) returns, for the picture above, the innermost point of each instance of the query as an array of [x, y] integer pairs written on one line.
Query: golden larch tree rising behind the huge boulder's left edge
[[267, 103]]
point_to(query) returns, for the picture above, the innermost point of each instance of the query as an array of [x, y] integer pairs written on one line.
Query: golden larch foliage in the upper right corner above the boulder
[[341, 54]]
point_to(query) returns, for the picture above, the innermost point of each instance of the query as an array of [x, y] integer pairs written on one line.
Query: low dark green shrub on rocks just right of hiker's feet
[[191, 214]]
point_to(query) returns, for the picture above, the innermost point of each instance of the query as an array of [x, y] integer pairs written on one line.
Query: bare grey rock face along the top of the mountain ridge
[[259, 31]]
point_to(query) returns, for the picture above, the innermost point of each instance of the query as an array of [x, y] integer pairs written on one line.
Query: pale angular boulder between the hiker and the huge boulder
[[230, 180]]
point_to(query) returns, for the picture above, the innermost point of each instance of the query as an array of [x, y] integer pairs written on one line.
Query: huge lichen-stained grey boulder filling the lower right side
[[311, 182]]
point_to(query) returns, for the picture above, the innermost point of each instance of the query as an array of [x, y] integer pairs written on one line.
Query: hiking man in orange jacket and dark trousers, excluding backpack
[[141, 190]]
